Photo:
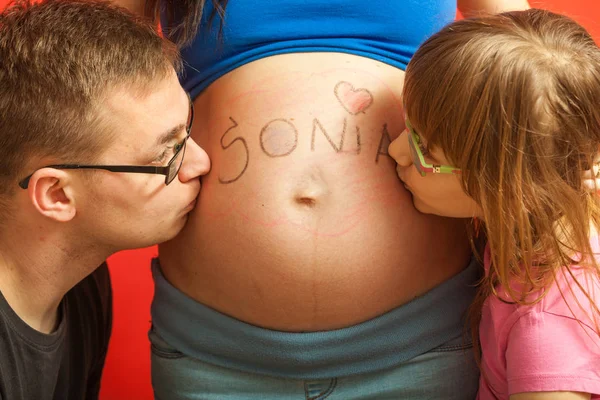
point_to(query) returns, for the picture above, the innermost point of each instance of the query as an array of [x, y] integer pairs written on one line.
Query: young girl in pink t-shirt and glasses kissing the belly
[[502, 115]]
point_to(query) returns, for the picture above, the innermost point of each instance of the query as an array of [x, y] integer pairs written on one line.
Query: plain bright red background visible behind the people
[[127, 373]]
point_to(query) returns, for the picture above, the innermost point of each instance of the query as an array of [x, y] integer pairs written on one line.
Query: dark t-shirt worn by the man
[[66, 364]]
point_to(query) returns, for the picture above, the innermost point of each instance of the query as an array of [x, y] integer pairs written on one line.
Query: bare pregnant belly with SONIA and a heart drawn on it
[[302, 223]]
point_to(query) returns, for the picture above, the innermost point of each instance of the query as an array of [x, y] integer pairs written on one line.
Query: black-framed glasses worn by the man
[[170, 170]]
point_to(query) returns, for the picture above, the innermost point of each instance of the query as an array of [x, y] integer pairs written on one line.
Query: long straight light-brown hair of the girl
[[514, 101]]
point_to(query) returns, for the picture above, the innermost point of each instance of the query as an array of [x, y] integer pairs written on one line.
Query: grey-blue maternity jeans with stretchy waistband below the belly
[[417, 351]]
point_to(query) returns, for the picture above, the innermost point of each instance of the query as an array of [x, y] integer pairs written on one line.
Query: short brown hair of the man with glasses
[[58, 60]]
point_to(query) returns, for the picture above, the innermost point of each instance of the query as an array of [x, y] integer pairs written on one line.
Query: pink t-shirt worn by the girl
[[549, 346]]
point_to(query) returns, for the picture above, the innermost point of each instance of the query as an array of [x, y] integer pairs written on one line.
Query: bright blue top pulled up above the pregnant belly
[[386, 30]]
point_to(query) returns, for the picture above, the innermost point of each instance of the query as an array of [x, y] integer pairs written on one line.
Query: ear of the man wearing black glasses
[[52, 194]]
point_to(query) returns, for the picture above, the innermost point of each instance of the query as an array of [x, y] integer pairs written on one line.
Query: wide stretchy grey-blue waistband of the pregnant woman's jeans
[[383, 342]]
